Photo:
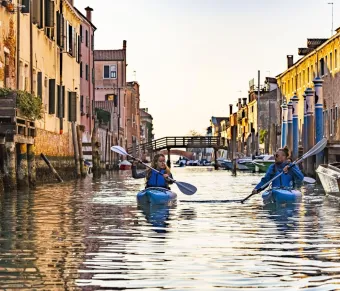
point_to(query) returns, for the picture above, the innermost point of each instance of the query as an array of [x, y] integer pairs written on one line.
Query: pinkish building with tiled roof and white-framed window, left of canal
[[110, 86]]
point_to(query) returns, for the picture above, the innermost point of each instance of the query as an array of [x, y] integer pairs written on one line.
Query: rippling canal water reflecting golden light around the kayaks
[[91, 235]]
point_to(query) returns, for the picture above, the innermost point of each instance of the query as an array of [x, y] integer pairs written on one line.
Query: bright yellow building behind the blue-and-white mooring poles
[[321, 58]]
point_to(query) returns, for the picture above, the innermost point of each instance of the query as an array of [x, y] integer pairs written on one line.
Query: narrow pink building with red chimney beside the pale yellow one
[[87, 93]]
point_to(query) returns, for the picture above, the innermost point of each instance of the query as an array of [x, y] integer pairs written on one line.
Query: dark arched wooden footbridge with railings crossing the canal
[[180, 142]]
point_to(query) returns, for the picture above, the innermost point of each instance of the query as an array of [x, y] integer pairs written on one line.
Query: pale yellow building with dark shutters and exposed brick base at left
[[49, 68]]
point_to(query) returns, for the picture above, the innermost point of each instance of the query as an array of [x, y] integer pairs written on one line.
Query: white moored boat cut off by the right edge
[[330, 178]]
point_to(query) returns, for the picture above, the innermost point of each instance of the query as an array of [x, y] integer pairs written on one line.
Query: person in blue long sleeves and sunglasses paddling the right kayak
[[292, 173]]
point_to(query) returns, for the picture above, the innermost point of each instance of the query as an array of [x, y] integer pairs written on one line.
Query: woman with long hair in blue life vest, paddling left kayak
[[153, 179]]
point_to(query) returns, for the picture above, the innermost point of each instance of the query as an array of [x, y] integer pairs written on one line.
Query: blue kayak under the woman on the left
[[156, 195]]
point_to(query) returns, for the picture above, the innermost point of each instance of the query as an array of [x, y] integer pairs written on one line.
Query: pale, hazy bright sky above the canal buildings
[[192, 58]]
